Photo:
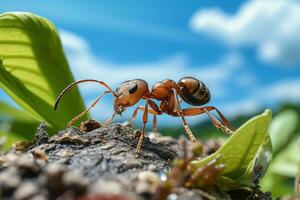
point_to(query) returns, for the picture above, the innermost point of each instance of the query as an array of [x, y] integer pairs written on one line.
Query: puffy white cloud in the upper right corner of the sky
[[271, 26]]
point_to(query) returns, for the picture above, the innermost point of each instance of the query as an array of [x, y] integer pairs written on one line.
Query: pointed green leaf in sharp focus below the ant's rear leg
[[240, 151]]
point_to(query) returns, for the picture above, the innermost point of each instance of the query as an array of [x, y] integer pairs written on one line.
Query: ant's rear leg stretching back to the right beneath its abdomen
[[198, 111]]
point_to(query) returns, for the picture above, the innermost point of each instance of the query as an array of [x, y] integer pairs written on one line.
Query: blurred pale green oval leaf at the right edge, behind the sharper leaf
[[282, 128]]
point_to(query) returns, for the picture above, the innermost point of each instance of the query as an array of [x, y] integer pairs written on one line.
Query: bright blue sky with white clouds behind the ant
[[247, 52]]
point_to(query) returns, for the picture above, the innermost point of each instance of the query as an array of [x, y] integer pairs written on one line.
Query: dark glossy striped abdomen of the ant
[[193, 91]]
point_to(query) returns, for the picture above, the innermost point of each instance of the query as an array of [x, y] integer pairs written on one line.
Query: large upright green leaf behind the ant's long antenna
[[34, 69]]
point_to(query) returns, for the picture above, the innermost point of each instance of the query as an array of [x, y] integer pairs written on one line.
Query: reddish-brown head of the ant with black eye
[[129, 93]]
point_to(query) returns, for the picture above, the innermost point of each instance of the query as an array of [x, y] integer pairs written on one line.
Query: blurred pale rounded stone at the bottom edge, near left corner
[[25, 191]]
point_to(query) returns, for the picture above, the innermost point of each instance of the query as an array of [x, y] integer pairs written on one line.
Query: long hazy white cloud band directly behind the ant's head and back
[[85, 64]]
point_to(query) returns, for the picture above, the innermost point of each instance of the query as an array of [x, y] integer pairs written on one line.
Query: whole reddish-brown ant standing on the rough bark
[[191, 90]]
